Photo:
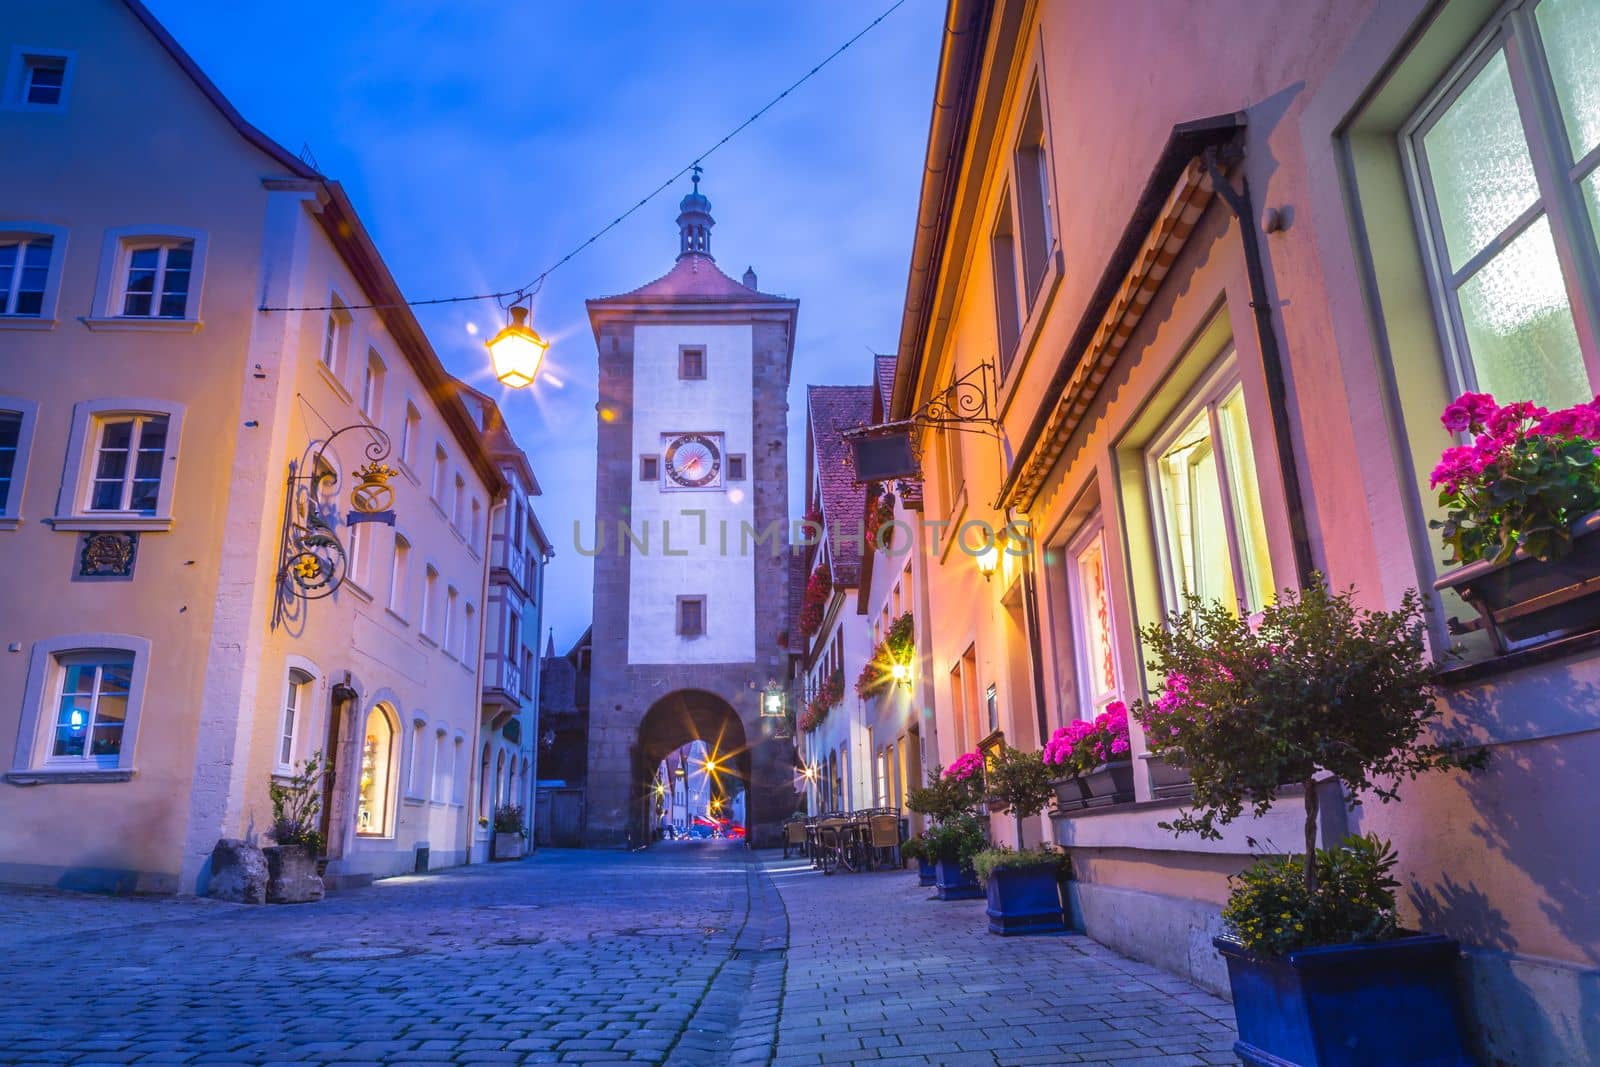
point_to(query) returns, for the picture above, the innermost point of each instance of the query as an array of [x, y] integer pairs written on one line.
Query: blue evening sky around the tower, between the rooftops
[[484, 142]]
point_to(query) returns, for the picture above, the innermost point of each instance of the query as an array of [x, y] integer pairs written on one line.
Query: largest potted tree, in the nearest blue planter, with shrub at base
[[1316, 690]]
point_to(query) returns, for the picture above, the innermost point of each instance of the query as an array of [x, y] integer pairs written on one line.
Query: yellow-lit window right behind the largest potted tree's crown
[[1214, 541]]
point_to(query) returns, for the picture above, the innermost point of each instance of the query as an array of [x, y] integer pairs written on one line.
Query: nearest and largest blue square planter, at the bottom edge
[[1391, 1004]]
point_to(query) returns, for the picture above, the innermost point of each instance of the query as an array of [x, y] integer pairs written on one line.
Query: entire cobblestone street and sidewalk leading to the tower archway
[[681, 956]]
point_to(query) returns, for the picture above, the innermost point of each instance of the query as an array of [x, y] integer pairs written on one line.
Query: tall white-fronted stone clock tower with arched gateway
[[690, 543]]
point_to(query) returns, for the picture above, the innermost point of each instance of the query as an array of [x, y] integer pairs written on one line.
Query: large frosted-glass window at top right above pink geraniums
[[1511, 209]]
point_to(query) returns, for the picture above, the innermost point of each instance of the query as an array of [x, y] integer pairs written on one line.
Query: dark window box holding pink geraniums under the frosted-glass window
[[1526, 599]]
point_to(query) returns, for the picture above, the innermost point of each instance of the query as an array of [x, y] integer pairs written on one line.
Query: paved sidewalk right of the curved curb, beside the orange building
[[882, 975]]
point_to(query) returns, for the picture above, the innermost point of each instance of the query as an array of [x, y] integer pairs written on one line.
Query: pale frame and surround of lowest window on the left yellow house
[[46, 676]]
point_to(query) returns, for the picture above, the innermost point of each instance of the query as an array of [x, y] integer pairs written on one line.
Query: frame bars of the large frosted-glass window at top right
[[1513, 33]]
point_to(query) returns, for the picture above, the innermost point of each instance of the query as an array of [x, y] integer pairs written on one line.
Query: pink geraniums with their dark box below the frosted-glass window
[[1522, 516]]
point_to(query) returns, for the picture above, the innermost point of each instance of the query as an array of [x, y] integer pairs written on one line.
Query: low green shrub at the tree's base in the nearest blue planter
[[1273, 913]]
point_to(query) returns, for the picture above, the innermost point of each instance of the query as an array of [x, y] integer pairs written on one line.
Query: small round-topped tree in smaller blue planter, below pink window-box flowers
[[1023, 887]]
